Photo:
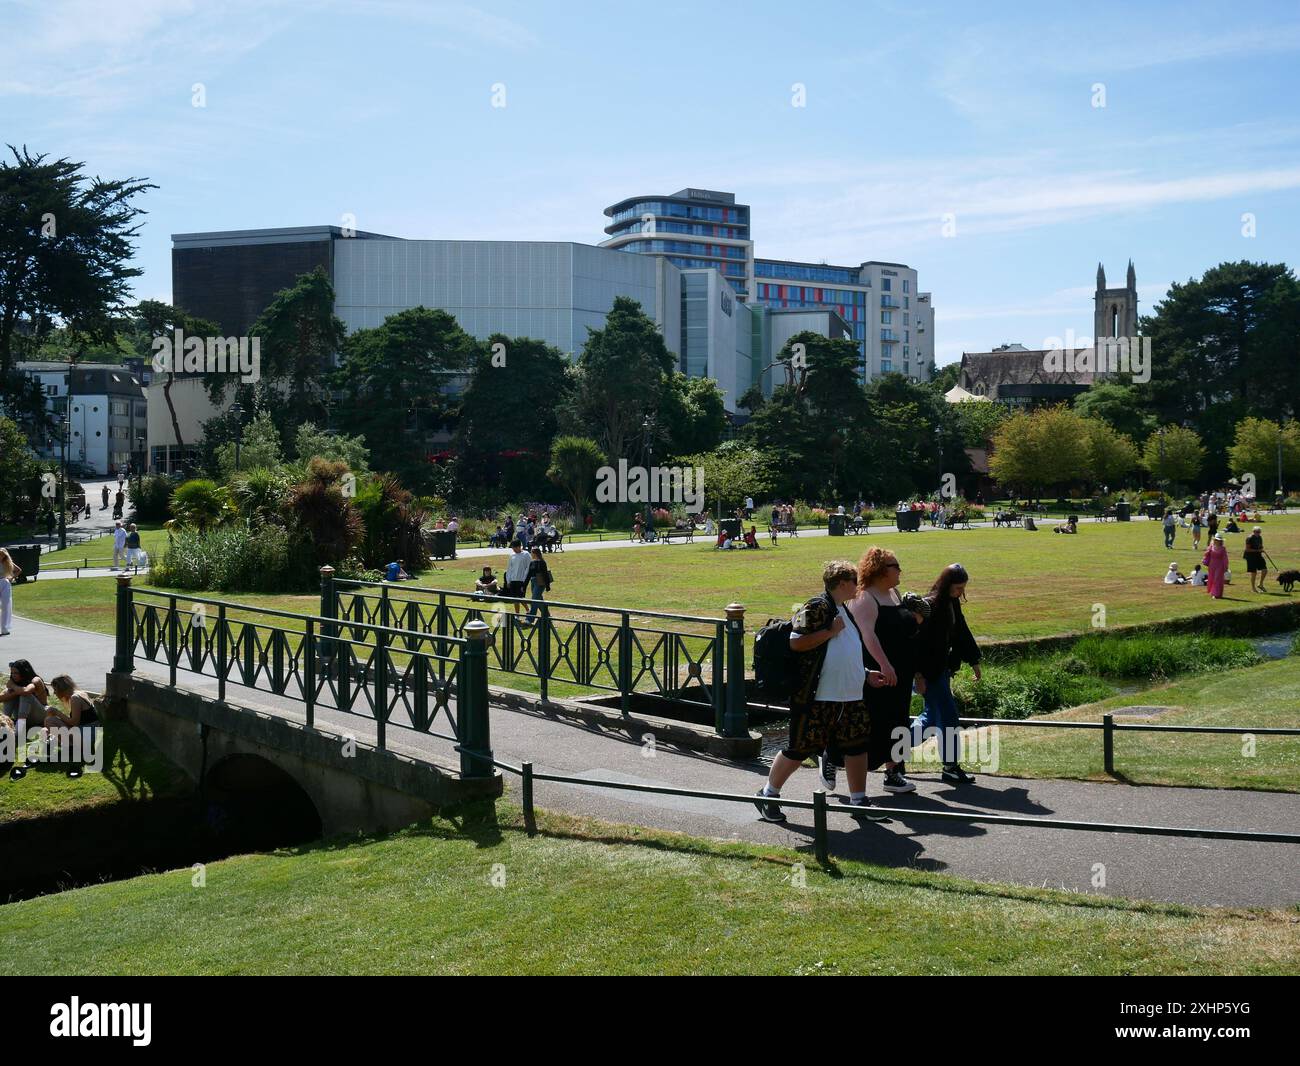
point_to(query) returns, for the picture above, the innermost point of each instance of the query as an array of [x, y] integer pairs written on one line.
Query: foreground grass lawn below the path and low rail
[[588, 898]]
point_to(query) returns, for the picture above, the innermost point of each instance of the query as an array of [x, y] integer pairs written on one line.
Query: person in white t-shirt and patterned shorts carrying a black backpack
[[826, 705]]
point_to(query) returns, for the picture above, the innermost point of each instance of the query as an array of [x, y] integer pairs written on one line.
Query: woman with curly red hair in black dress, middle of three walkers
[[890, 636]]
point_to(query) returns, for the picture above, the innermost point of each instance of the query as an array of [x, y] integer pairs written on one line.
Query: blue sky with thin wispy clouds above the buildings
[[384, 111]]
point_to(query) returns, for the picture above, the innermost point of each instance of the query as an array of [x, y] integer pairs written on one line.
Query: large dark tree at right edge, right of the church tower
[[1224, 348]]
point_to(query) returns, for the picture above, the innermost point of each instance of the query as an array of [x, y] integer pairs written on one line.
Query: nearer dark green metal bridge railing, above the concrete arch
[[435, 684]]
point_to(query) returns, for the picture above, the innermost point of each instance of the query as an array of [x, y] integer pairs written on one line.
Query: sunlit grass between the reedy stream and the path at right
[[1262, 697]]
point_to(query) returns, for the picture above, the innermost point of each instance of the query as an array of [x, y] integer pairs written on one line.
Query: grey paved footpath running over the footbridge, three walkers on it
[[1167, 869]]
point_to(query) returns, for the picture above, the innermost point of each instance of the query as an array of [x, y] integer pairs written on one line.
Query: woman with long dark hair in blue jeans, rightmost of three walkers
[[943, 645]]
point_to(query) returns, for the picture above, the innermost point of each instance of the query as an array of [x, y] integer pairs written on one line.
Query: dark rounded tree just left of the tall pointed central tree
[[509, 414]]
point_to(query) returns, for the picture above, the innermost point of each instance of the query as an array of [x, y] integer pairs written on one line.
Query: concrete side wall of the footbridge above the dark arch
[[362, 792]]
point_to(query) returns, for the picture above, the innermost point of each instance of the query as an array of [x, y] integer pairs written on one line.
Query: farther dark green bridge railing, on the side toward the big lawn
[[642, 656]]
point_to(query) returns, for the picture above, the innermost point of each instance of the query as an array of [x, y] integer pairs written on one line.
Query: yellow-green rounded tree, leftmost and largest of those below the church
[[1039, 449]]
